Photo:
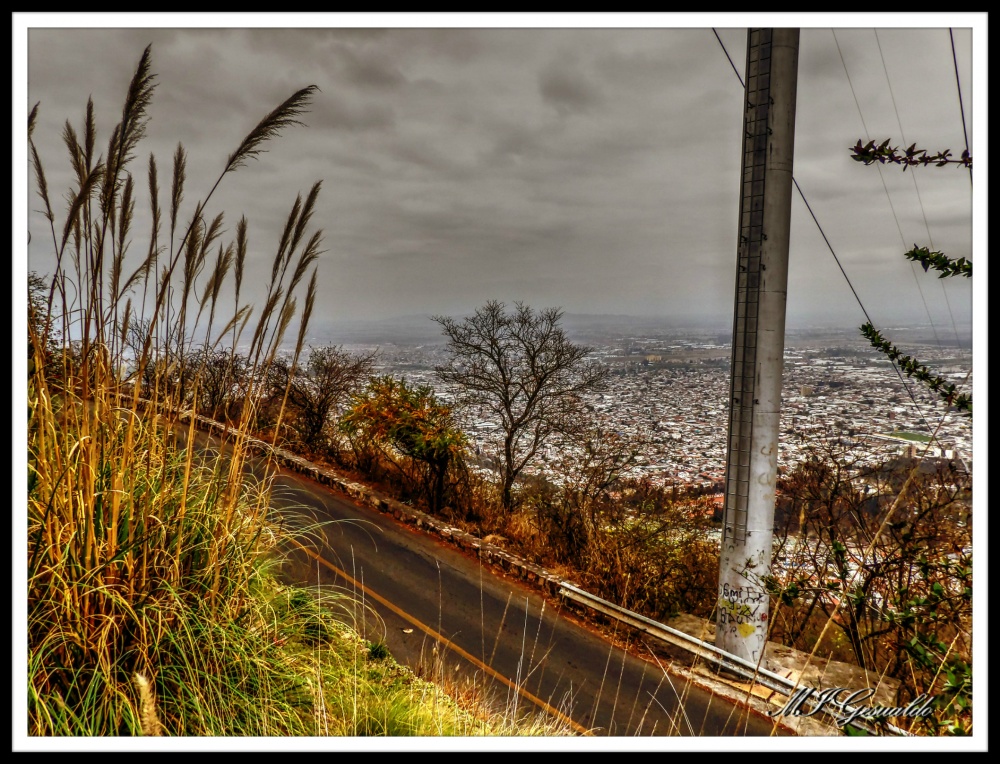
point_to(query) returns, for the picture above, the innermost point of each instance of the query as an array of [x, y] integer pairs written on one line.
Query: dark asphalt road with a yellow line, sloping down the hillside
[[450, 618]]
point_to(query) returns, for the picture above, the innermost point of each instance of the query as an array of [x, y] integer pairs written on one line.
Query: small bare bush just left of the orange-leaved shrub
[[320, 387]]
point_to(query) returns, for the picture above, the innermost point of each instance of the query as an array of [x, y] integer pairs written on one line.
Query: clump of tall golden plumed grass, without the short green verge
[[135, 546]]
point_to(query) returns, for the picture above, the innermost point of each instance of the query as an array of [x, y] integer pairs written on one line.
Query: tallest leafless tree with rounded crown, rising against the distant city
[[522, 369]]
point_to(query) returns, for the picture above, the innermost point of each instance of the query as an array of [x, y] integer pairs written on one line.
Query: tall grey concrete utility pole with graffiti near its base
[[758, 340]]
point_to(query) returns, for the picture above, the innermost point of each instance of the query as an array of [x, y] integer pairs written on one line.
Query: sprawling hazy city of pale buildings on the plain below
[[670, 388]]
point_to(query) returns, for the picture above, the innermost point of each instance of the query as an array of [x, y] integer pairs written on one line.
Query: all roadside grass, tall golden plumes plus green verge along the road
[[152, 608]]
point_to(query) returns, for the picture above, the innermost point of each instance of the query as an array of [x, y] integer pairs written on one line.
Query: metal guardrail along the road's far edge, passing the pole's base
[[715, 655]]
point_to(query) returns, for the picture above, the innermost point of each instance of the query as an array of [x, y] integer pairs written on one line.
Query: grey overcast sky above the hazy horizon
[[595, 169]]
